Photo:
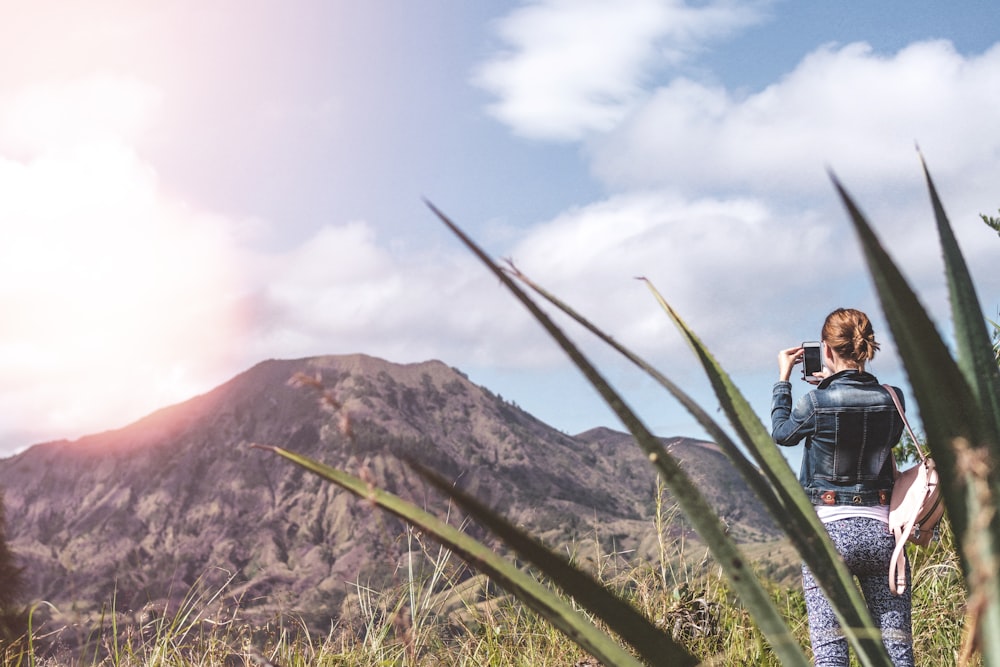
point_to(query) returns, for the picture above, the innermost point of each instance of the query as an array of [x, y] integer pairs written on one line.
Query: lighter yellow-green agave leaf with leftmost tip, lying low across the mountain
[[570, 622]]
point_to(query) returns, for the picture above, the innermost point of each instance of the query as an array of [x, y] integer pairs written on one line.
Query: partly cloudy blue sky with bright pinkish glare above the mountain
[[190, 188]]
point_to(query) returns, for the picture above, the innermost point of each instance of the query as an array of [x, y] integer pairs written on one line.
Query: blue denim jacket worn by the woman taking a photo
[[850, 425]]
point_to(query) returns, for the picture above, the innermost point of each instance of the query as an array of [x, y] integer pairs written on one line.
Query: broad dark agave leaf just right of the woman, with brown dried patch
[[957, 425]]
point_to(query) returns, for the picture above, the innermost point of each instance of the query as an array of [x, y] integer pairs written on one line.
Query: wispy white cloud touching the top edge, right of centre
[[575, 67]]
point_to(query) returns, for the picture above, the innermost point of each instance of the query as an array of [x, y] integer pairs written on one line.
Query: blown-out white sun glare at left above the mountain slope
[[114, 297]]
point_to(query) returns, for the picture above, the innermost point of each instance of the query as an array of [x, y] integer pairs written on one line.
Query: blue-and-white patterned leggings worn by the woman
[[866, 545]]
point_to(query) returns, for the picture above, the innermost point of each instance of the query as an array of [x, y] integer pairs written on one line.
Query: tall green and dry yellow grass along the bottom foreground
[[440, 613]]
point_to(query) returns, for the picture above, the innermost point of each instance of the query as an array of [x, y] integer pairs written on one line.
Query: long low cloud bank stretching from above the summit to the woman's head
[[749, 276]]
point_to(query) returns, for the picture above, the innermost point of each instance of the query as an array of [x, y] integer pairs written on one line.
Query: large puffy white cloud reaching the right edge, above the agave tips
[[849, 108]]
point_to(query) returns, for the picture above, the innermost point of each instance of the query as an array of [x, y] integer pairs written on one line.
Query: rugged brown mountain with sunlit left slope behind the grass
[[144, 514]]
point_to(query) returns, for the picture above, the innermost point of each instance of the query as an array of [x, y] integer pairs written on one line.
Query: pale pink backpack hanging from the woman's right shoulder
[[915, 508]]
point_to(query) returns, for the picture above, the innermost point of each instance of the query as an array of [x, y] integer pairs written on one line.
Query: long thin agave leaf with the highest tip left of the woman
[[690, 500]]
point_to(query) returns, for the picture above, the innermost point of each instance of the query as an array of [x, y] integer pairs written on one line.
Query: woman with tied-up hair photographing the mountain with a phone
[[849, 424]]
